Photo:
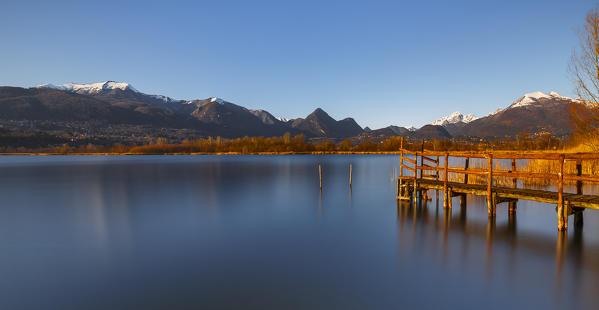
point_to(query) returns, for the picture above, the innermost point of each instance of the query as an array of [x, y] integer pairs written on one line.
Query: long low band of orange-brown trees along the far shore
[[298, 144]]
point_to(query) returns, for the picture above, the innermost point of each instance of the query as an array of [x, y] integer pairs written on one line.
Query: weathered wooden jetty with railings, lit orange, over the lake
[[430, 170]]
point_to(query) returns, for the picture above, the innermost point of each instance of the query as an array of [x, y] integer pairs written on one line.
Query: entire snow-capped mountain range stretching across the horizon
[[122, 113]]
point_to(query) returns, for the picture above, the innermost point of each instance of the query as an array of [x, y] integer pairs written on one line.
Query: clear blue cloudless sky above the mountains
[[380, 62]]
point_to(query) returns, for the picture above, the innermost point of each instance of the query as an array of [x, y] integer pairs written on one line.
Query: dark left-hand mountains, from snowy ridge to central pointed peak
[[118, 109]]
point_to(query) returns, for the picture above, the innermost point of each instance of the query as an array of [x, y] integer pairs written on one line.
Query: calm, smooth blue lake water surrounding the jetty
[[204, 232]]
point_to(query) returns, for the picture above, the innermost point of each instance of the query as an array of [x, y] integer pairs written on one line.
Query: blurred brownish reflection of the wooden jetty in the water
[[452, 231]]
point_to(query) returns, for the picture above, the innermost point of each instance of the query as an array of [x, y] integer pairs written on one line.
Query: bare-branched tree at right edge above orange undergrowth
[[584, 69]]
